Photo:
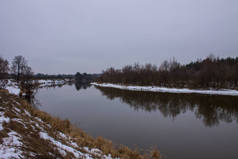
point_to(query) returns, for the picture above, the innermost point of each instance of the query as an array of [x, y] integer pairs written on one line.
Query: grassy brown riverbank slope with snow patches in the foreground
[[26, 132]]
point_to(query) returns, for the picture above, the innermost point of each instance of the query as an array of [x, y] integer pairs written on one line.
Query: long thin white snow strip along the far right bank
[[168, 90]]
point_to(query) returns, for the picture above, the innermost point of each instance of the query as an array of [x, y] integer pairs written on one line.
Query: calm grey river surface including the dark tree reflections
[[180, 126]]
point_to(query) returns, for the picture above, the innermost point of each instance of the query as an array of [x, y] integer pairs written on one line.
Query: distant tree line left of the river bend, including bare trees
[[19, 70]]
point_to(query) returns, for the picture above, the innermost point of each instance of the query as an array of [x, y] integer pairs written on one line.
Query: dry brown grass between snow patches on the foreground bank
[[41, 148]]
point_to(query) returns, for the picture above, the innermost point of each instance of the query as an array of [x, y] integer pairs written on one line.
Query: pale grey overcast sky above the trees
[[66, 36]]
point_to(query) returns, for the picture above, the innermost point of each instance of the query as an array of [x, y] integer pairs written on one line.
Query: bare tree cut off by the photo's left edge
[[3, 72]]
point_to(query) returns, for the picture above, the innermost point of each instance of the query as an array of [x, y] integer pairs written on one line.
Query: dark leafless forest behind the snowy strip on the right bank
[[212, 72]]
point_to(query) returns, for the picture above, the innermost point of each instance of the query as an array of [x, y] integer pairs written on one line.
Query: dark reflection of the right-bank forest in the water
[[212, 109]]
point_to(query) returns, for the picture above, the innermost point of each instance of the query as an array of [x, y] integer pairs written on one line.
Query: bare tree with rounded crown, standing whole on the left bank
[[19, 64]]
